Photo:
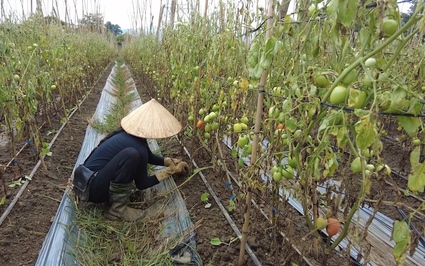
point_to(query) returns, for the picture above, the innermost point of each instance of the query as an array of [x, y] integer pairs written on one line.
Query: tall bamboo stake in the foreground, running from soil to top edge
[[259, 112]]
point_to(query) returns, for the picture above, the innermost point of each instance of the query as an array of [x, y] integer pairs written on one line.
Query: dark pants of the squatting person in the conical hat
[[123, 168]]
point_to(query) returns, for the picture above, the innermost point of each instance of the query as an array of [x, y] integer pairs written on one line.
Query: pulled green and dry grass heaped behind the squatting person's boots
[[105, 242]]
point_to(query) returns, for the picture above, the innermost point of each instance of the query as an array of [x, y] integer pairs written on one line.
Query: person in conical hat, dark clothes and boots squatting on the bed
[[122, 157]]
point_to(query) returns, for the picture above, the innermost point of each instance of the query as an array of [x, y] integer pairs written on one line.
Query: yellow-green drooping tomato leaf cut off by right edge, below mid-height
[[416, 180]]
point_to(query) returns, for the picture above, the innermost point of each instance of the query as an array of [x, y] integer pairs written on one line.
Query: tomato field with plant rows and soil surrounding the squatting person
[[304, 130]]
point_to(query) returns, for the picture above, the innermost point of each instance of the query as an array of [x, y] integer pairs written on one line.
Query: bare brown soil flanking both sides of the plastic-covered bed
[[25, 228]]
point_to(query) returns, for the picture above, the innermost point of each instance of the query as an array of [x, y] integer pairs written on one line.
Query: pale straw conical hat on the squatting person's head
[[151, 121]]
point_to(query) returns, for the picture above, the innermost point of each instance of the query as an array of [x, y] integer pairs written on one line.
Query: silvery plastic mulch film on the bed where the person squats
[[57, 246]]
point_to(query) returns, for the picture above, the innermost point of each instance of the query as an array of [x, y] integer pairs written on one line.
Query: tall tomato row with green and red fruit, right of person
[[327, 80]]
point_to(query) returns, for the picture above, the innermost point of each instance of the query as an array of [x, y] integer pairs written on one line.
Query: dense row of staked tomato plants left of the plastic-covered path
[[45, 70]]
